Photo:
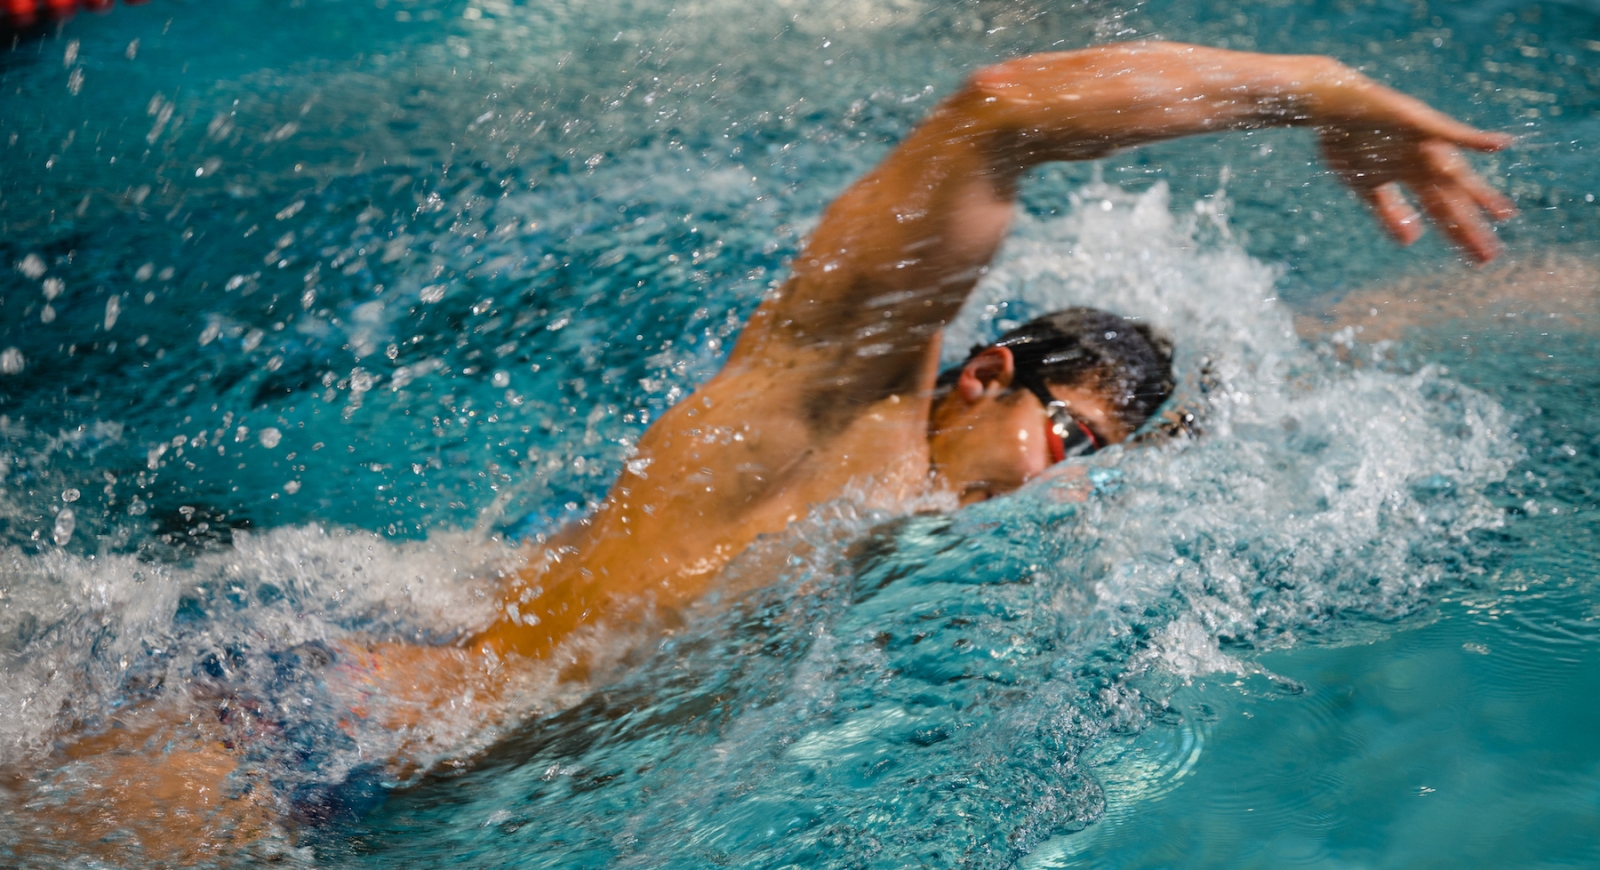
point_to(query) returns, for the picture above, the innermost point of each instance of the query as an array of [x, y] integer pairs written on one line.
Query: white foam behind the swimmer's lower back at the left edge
[[79, 628]]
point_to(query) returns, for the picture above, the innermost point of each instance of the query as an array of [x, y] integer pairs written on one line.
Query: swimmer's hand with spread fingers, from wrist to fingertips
[[1380, 140]]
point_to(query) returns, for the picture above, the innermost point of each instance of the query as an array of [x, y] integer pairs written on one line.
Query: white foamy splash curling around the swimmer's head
[[1300, 501]]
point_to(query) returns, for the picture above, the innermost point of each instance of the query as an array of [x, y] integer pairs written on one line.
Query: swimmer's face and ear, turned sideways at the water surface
[[986, 439]]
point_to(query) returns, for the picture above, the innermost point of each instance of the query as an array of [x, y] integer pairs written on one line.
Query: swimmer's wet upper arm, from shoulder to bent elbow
[[890, 265]]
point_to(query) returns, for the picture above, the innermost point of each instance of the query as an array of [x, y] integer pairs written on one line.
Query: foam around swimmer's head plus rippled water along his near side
[[927, 688]]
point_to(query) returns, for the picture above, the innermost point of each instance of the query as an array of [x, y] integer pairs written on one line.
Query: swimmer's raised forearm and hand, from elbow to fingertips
[[1086, 105]]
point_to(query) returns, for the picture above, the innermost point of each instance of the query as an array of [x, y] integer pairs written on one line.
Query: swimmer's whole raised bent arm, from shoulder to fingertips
[[897, 255]]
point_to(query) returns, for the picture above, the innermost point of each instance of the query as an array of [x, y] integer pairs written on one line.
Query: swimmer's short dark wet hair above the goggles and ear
[[1124, 359]]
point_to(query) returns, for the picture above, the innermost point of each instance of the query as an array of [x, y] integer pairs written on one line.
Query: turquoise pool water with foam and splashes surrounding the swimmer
[[353, 295]]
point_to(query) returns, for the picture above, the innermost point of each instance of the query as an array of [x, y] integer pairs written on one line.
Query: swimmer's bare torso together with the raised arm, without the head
[[833, 377]]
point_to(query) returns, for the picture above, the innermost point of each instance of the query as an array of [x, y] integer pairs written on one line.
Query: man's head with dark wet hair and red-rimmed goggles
[[1081, 378]]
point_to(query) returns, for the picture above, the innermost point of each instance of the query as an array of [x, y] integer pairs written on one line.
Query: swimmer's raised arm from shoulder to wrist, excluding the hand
[[898, 253]]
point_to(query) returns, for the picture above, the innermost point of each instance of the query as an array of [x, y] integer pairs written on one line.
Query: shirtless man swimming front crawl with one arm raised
[[834, 385]]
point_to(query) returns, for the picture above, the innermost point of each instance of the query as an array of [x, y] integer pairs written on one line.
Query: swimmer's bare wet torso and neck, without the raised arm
[[734, 461]]
